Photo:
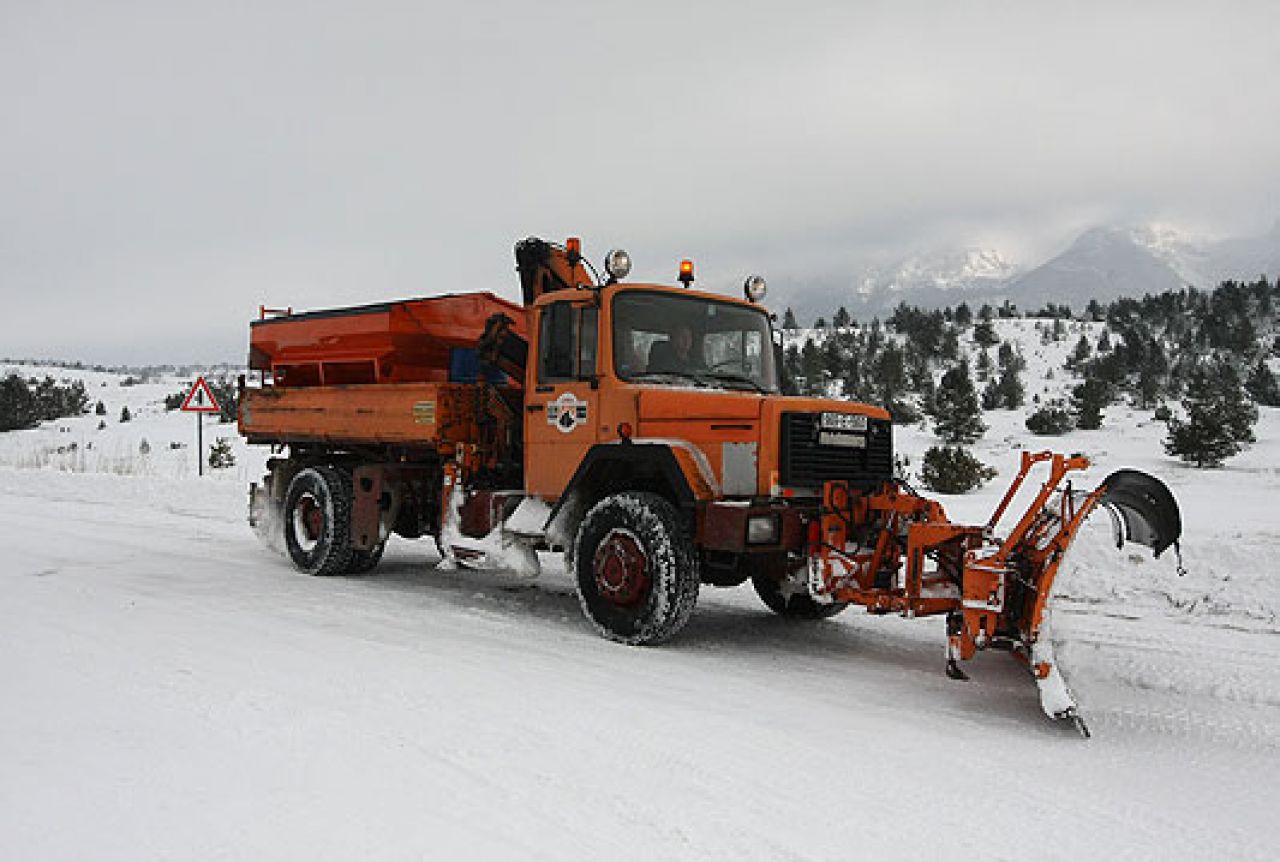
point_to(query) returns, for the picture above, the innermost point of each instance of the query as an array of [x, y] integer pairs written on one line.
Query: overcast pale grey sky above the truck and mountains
[[167, 167]]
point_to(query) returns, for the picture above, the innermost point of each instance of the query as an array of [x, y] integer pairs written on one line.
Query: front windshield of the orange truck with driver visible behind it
[[682, 340]]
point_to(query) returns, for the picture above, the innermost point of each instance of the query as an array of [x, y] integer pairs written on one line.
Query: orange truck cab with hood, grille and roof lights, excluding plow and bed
[[678, 395]]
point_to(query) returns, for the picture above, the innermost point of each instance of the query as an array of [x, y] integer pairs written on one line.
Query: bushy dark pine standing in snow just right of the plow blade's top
[[1219, 418]]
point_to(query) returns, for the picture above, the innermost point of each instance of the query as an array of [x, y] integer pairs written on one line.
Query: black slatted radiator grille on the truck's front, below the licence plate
[[806, 463]]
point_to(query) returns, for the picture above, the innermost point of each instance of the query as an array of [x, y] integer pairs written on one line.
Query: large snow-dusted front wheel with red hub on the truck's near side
[[636, 568]]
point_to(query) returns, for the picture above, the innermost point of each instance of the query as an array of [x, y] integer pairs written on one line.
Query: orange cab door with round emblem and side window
[[563, 409]]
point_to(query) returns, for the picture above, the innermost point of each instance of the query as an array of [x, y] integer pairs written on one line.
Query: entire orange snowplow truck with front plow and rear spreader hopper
[[646, 432]]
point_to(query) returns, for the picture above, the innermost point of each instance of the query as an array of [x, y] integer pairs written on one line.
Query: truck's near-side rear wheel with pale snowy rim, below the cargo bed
[[318, 521]]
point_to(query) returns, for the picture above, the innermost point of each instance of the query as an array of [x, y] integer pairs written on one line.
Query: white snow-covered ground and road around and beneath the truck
[[173, 690]]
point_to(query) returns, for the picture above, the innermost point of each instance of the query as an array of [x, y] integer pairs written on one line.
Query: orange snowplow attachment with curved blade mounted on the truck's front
[[894, 551]]
